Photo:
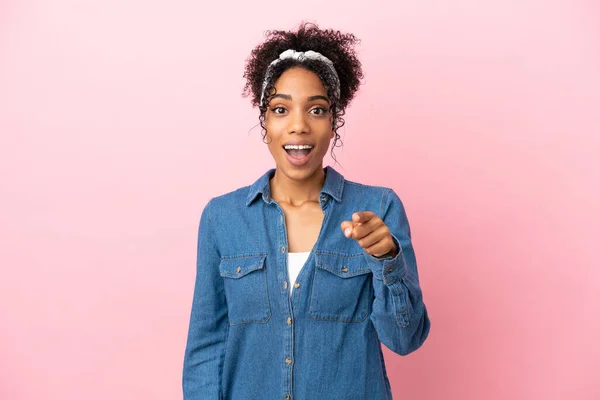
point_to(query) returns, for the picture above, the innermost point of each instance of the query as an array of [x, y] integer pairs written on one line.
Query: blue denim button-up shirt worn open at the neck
[[248, 339]]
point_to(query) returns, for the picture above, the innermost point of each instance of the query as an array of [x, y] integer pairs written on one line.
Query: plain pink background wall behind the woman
[[119, 120]]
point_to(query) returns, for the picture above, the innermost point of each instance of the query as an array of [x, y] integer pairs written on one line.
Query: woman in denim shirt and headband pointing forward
[[301, 275]]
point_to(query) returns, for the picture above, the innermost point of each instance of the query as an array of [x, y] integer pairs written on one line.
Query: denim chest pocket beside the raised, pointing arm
[[341, 287]]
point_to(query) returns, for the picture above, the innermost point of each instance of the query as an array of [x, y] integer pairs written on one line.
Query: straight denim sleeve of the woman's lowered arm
[[208, 327]]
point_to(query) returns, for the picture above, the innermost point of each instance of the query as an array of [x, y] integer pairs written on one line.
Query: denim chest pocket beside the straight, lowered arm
[[245, 282]]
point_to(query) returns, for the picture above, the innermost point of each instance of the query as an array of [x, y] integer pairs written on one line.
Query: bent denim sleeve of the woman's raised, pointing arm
[[399, 313]]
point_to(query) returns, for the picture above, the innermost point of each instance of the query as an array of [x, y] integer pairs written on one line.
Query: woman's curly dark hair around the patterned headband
[[335, 45]]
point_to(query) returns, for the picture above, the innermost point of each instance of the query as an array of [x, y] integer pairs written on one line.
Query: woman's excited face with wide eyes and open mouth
[[298, 115]]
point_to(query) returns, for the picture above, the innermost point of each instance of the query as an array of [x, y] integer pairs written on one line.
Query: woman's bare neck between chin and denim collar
[[295, 191]]
